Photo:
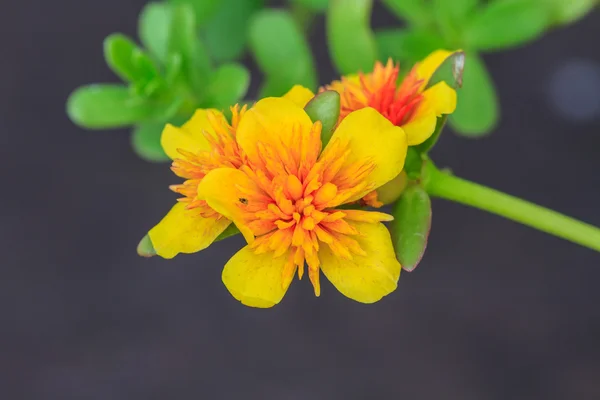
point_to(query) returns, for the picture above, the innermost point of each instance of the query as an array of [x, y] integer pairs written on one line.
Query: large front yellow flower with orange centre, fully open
[[286, 200]]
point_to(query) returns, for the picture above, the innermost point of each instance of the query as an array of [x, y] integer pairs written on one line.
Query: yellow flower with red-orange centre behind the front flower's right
[[408, 104]]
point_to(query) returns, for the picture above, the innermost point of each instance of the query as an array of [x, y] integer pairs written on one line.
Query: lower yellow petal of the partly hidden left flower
[[185, 231]]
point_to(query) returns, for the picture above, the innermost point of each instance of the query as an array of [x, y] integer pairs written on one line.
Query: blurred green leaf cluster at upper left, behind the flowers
[[187, 61]]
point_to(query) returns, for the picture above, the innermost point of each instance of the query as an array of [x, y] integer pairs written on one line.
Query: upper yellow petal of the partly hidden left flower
[[189, 137]]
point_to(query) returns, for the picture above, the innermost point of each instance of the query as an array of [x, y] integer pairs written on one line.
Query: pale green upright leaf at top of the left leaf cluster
[[153, 29]]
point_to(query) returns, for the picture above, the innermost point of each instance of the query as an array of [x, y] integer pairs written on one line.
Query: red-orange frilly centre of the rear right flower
[[380, 91]]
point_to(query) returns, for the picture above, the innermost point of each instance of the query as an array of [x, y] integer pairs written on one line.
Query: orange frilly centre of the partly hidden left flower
[[224, 152]]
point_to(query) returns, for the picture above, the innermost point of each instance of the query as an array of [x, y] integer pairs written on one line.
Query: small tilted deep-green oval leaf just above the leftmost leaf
[[127, 60]]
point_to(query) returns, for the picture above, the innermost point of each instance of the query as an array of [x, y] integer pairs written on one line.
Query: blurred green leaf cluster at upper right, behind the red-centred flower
[[472, 25]]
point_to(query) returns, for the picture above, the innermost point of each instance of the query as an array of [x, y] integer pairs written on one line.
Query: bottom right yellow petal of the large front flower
[[365, 279]]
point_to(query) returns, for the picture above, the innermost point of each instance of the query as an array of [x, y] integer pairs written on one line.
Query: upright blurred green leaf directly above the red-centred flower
[[351, 41]]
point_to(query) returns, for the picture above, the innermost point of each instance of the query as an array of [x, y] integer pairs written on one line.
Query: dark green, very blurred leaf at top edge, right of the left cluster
[[225, 34]]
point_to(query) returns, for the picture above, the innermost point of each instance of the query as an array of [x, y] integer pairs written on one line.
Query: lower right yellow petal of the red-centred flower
[[437, 100]]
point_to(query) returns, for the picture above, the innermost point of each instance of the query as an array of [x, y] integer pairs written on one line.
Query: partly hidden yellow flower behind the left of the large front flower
[[205, 142]]
